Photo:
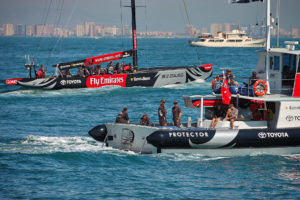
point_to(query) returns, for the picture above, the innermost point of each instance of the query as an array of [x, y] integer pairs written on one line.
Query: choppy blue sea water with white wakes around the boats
[[46, 152]]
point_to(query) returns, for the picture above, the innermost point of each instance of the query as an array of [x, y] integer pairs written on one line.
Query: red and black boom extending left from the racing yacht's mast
[[94, 60]]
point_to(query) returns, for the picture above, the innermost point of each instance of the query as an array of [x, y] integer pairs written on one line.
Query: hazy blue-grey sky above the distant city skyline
[[162, 15]]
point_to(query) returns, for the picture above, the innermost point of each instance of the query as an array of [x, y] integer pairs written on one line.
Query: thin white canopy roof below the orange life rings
[[266, 98]]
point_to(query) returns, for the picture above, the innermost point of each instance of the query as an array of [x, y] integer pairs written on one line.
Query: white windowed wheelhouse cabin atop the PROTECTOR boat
[[284, 69]]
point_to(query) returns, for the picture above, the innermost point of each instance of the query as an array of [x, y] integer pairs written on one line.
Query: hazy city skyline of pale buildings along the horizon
[[91, 29]]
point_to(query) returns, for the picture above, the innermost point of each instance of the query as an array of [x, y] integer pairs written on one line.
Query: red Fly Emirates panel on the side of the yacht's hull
[[99, 81]]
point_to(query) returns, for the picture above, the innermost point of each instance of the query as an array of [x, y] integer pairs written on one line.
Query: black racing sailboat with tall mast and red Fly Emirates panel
[[129, 76]]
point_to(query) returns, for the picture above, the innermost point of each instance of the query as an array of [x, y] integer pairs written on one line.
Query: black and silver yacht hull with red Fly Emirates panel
[[155, 77]]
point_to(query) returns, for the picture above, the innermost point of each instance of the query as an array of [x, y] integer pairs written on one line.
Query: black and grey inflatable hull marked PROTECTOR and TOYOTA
[[150, 139]]
